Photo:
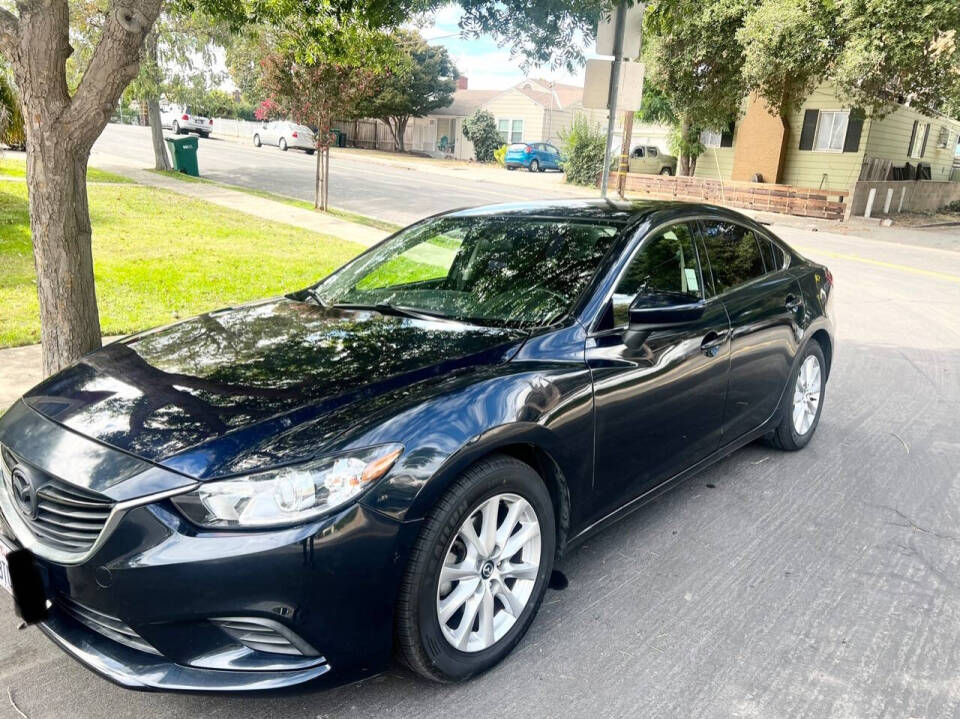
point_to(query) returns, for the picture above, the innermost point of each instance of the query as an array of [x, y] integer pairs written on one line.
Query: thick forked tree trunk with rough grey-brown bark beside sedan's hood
[[60, 130]]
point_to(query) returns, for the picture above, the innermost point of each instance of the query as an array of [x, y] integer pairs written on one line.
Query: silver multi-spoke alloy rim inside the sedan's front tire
[[489, 573]]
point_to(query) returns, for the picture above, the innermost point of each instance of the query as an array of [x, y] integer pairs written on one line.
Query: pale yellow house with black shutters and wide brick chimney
[[825, 144]]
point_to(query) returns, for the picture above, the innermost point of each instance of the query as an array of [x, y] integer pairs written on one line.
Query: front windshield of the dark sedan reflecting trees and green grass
[[504, 271]]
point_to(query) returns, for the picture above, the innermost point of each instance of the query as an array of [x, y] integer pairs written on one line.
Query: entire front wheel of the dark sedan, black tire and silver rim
[[477, 573]]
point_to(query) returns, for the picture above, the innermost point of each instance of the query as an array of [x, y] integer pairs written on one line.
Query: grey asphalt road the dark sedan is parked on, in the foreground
[[823, 583]]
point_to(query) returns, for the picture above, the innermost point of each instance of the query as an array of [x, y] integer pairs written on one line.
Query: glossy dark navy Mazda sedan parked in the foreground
[[392, 461]]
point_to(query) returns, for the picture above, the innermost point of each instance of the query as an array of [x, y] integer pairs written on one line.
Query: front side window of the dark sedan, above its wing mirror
[[665, 265]]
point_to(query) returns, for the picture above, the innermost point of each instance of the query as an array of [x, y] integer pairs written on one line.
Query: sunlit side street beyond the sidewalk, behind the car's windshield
[[388, 191]]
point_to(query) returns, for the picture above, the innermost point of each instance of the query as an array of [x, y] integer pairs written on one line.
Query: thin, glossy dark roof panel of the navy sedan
[[617, 212]]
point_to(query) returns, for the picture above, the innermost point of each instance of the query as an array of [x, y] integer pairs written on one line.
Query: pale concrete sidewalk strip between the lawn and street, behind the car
[[272, 210]]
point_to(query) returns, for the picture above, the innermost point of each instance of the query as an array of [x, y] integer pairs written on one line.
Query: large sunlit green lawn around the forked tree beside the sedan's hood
[[160, 256]]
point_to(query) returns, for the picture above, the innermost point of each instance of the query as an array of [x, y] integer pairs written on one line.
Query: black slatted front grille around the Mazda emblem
[[67, 517]]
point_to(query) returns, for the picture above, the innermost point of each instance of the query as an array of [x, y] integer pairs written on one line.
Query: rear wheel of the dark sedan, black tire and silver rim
[[798, 419]]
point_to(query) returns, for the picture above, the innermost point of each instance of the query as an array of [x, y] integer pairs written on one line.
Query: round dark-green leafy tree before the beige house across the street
[[424, 82]]
